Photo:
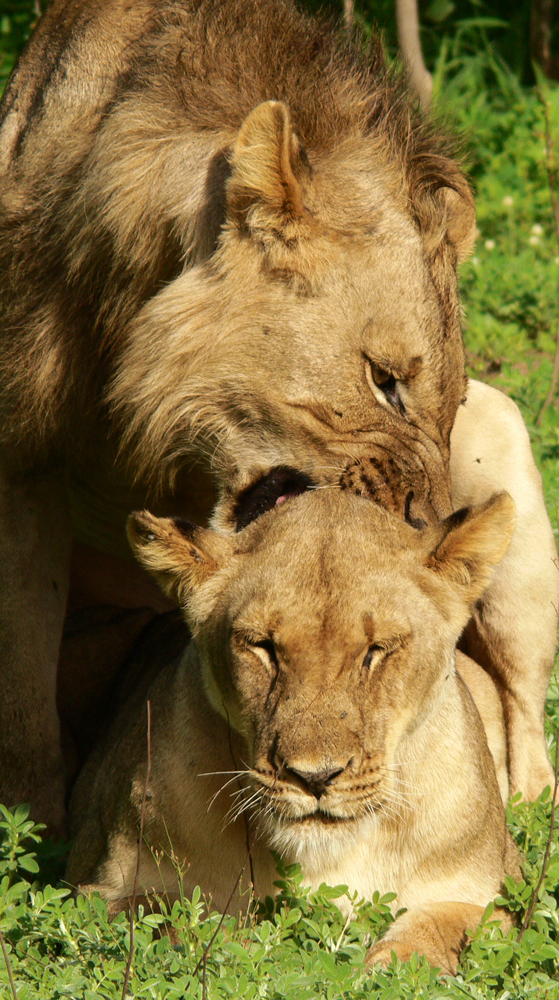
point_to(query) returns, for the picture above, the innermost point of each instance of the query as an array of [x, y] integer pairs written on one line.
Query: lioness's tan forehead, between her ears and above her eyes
[[328, 565]]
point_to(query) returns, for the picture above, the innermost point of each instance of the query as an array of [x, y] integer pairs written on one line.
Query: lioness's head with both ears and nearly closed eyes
[[326, 631]]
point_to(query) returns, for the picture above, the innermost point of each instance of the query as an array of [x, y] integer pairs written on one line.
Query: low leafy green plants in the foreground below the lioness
[[298, 946]]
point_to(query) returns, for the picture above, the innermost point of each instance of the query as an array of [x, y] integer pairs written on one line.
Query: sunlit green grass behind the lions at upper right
[[510, 285]]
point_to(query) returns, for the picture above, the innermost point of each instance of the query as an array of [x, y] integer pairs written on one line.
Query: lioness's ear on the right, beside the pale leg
[[471, 542]]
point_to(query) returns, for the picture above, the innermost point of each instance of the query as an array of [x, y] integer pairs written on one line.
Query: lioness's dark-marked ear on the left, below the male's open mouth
[[178, 554]]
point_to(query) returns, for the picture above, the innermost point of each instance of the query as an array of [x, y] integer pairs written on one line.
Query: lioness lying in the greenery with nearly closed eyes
[[321, 685]]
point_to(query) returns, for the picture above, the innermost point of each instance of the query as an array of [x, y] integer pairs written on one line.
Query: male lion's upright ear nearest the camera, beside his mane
[[267, 160]]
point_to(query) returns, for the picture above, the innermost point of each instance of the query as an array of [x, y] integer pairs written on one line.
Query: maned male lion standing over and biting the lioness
[[228, 250]]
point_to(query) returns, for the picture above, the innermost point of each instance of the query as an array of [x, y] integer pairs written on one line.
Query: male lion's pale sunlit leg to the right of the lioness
[[513, 632]]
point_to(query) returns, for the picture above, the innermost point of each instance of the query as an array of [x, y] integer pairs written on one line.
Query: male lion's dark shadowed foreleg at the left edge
[[35, 542]]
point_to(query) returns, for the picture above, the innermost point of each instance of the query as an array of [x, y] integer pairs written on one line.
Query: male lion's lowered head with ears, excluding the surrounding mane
[[325, 317]]
